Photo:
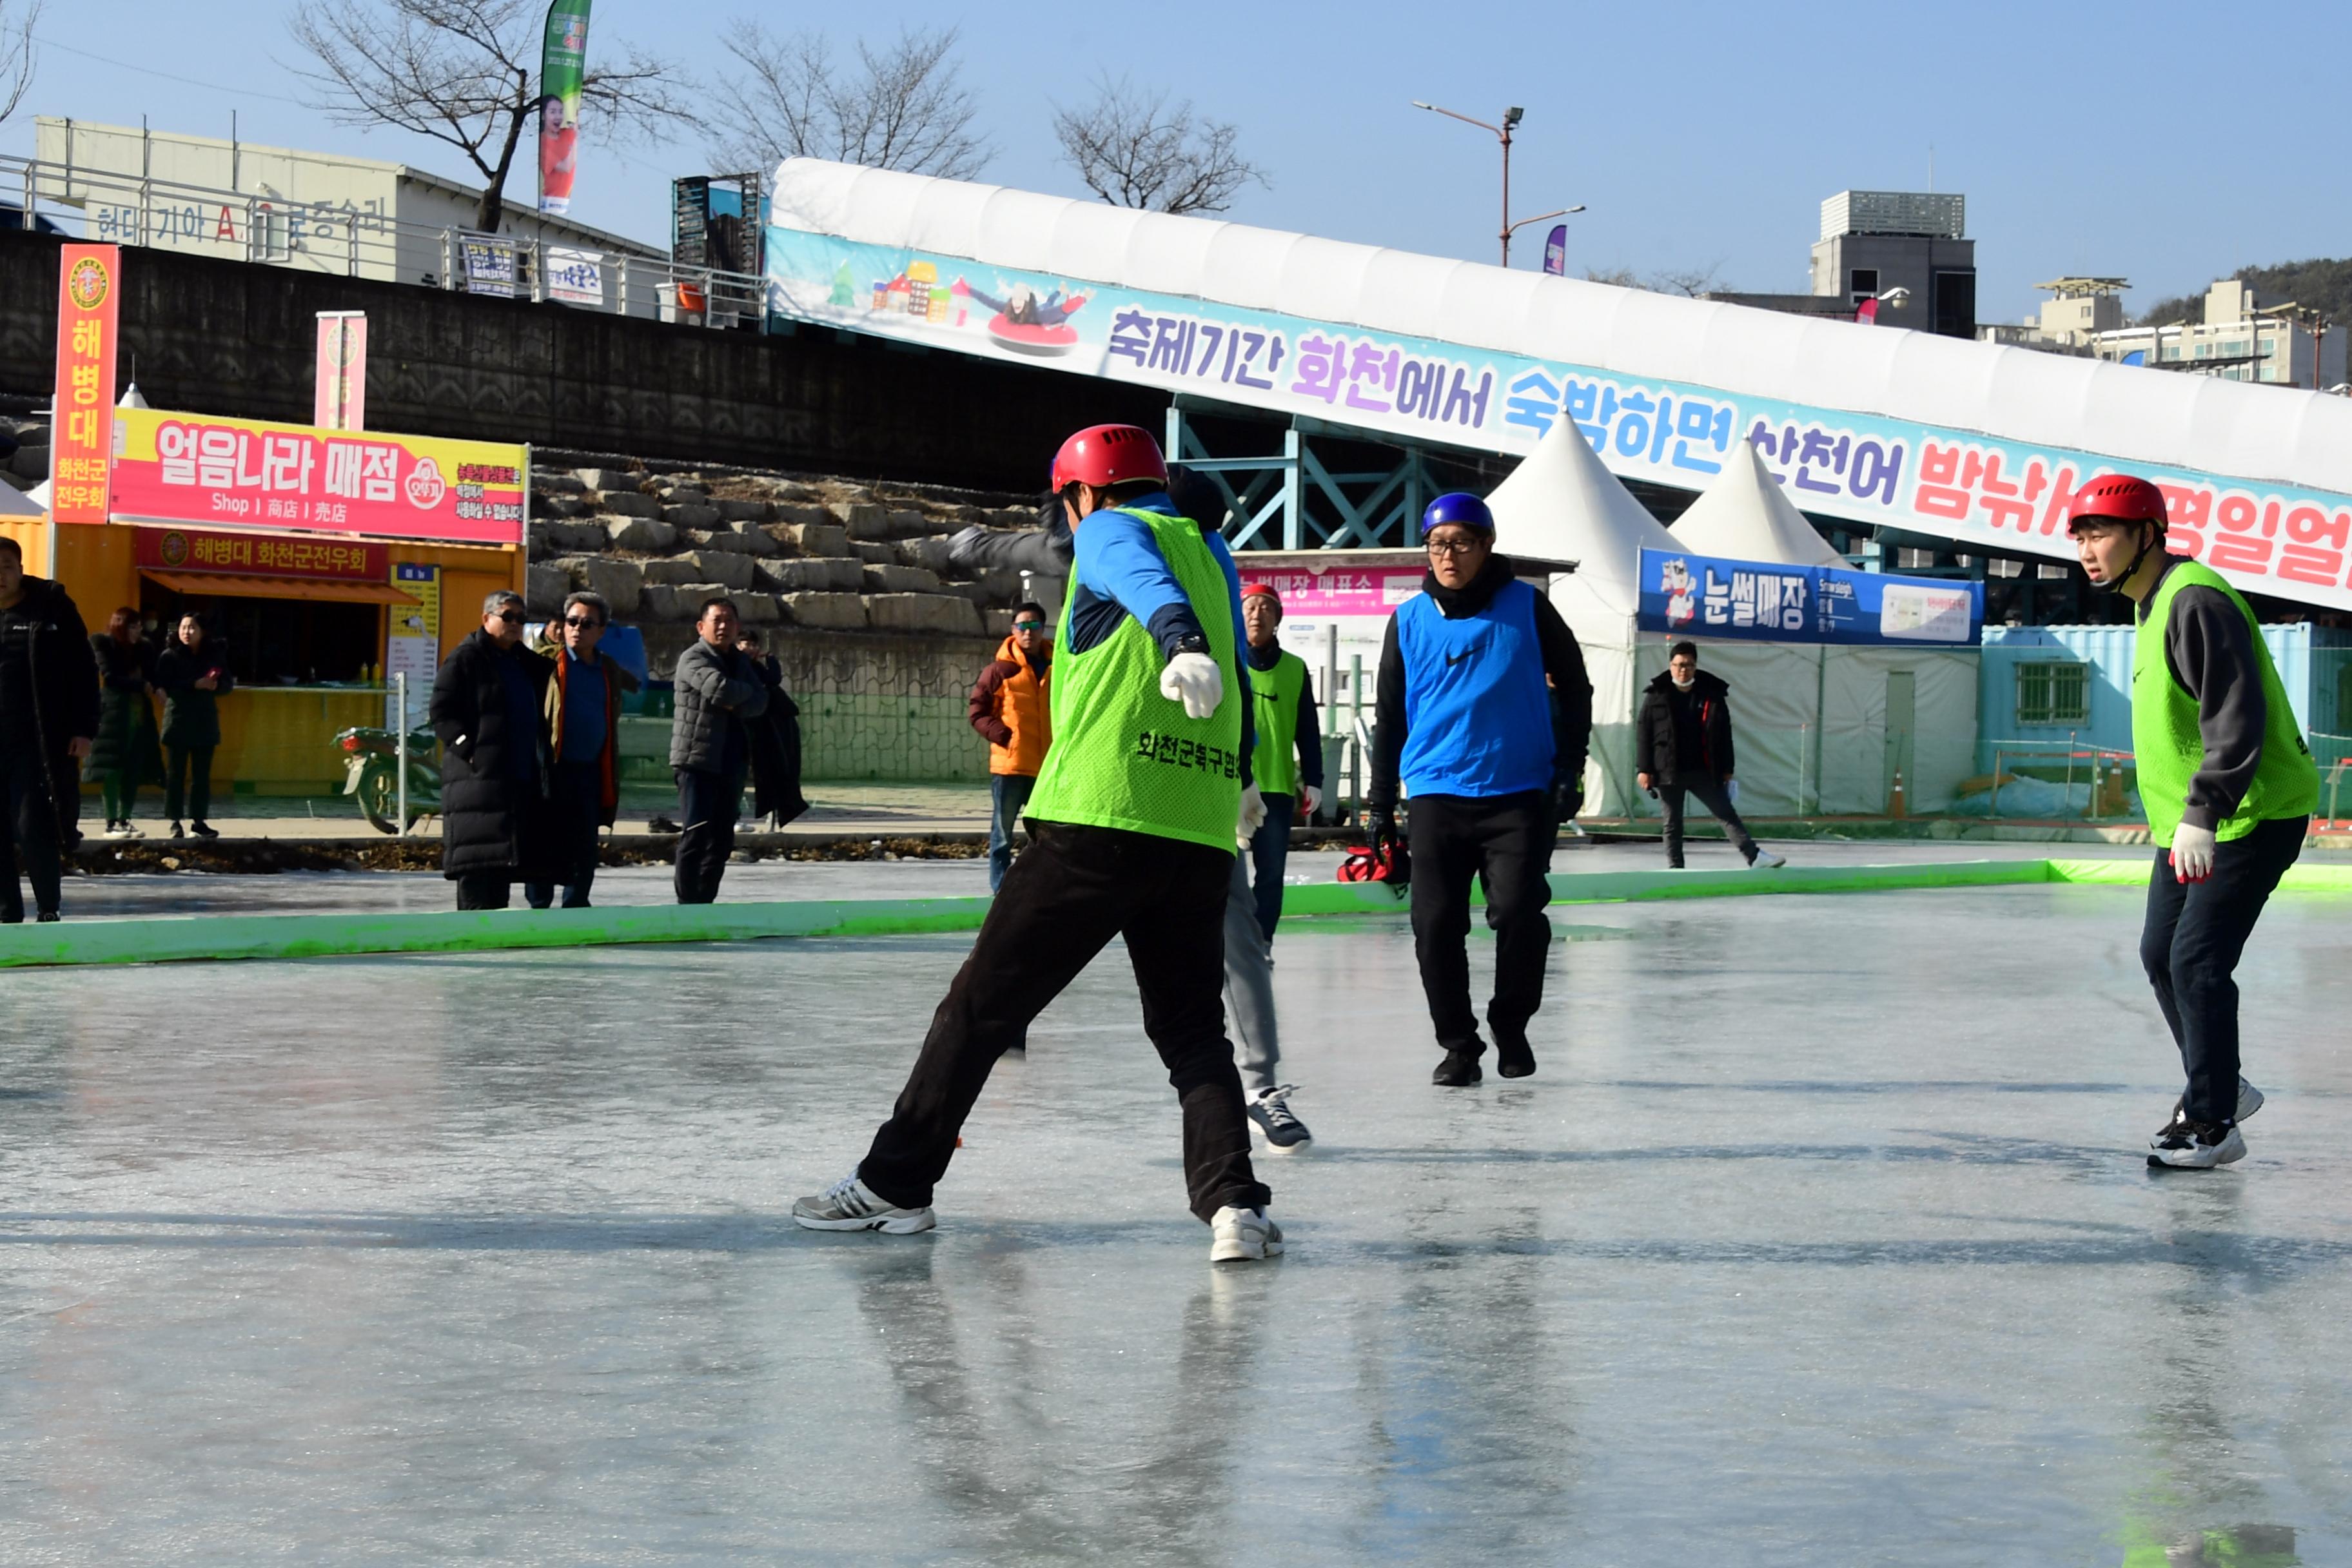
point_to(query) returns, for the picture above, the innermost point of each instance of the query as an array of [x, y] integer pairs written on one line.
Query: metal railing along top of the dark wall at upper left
[[528, 262]]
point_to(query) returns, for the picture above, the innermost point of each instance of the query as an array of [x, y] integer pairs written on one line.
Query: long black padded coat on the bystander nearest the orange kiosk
[[490, 819]]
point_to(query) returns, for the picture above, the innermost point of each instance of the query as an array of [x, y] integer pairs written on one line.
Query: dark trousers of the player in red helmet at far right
[[2191, 946]]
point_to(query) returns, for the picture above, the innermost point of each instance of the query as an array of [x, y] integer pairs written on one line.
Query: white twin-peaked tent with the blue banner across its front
[[1819, 730]]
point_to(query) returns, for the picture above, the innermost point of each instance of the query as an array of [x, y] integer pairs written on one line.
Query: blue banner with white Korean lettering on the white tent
[[1706, 596]]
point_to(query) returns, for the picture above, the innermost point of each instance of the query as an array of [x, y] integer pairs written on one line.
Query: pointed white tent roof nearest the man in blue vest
[[1563, 504]]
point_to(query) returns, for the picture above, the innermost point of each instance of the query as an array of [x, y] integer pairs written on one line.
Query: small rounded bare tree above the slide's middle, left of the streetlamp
[[1137, 152]]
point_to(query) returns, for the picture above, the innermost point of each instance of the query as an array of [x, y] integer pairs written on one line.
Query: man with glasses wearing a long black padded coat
[[486, 709]]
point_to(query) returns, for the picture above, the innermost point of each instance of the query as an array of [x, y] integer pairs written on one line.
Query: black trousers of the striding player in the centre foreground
[[1060, 906]]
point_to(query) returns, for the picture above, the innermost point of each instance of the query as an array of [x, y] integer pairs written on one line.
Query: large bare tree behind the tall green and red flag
[[465, 72]]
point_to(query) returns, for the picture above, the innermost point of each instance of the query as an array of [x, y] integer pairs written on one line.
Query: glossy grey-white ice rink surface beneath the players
[[1822, 1238]]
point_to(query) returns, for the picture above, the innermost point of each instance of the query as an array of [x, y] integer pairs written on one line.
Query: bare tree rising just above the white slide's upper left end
[[897, 109]]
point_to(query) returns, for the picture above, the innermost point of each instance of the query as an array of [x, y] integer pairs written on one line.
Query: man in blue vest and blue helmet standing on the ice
[[1485, 716]]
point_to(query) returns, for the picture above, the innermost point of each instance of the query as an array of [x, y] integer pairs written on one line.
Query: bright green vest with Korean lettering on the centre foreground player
[[1130, 758]]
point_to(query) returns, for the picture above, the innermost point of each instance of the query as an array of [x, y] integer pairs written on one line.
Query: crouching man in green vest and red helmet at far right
[[2229, 786]]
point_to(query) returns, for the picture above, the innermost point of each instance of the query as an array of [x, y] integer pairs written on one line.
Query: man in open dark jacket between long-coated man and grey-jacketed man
[[584, 723]]
